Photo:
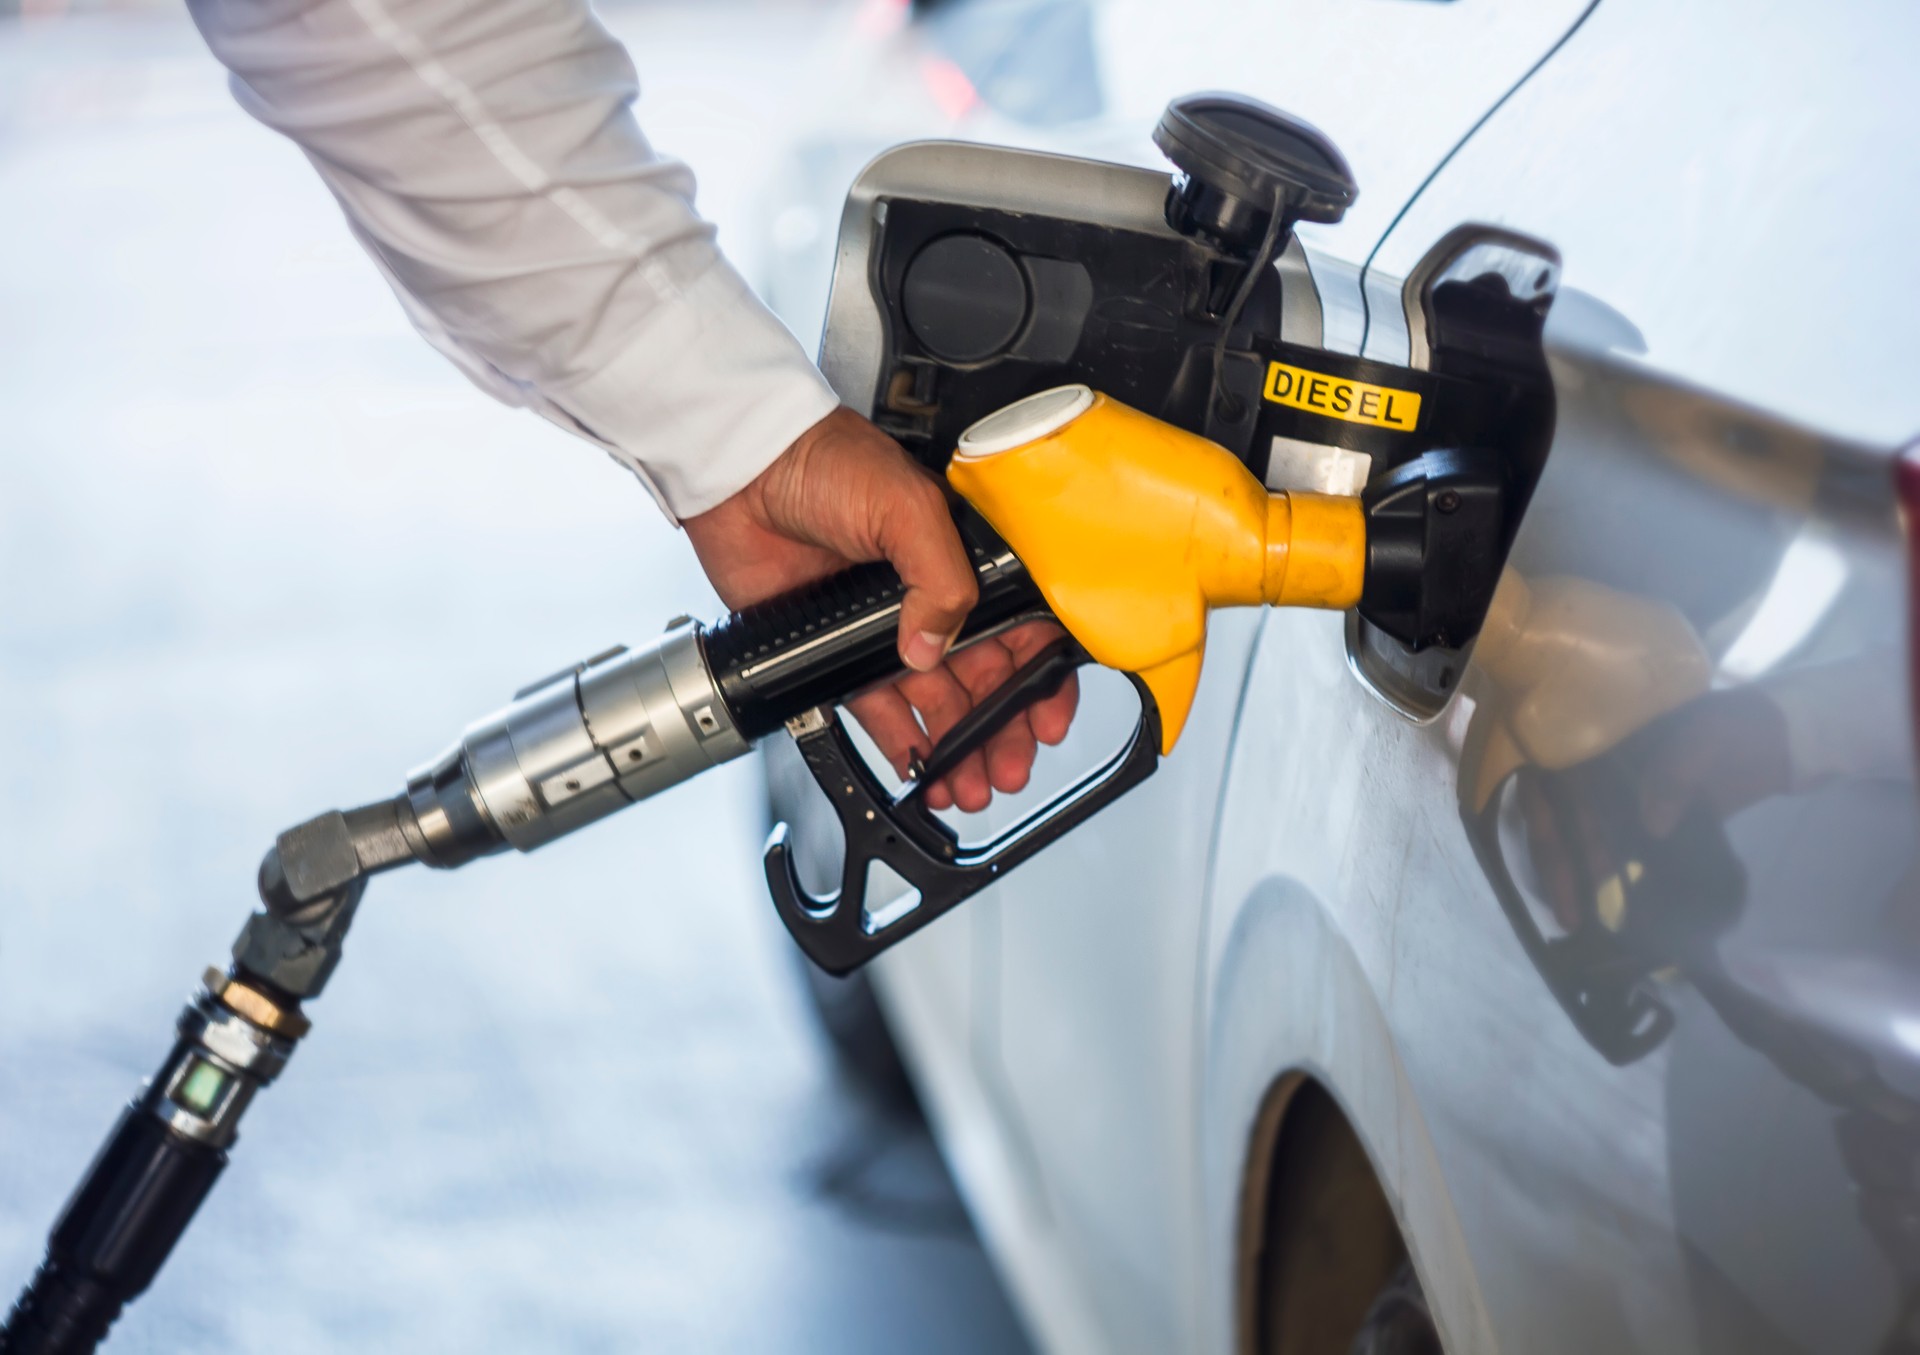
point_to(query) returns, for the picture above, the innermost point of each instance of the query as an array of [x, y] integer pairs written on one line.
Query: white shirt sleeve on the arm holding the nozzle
[[487, 156]]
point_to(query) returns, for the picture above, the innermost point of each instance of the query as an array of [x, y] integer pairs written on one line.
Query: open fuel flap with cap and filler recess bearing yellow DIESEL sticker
[[971, 277]]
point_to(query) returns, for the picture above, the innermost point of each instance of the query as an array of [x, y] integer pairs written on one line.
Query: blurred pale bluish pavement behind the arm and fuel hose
[[262, 552]]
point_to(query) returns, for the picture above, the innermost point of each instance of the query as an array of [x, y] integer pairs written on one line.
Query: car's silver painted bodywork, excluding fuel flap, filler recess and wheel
[[1314, 882]]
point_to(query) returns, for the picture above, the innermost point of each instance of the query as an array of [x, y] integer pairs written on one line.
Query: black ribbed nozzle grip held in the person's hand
[[840, 636]]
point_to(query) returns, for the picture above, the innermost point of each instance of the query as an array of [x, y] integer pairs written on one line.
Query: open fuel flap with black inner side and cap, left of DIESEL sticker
[[969, 277]]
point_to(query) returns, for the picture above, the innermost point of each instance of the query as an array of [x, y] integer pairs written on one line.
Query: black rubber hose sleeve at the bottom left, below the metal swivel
[[118, 1229]]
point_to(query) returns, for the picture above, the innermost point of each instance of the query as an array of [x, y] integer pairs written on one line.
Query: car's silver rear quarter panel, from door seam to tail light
[[1716, 1156]]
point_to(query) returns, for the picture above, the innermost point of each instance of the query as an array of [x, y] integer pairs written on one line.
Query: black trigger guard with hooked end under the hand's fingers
[[838, 932]]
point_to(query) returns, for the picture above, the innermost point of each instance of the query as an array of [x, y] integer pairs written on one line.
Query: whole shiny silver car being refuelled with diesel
[[1556, 991]]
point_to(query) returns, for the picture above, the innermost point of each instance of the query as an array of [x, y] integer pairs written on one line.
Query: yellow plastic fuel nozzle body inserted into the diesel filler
[[1134, 531]]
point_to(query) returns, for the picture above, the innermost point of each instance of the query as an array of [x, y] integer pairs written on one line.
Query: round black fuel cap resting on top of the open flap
[[1236, 156]]
